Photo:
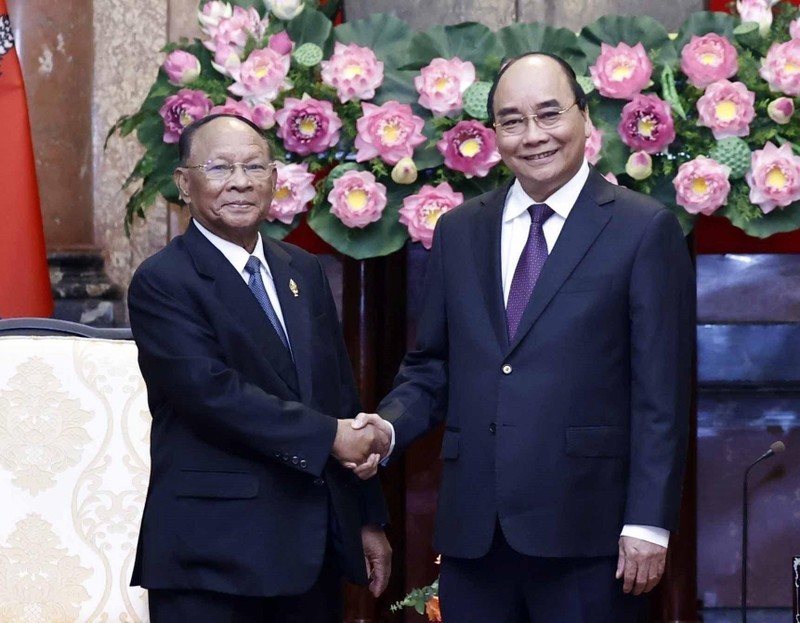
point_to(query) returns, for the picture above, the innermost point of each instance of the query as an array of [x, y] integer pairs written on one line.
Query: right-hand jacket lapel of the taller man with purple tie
[[585, 222]]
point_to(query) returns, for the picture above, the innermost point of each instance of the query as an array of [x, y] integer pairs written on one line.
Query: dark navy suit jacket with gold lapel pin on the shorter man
[[242, 488]]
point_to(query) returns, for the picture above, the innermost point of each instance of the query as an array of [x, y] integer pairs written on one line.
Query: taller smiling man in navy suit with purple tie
[[555, 341]]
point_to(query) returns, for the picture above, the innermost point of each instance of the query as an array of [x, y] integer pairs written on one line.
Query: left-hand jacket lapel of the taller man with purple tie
[[486, 247]]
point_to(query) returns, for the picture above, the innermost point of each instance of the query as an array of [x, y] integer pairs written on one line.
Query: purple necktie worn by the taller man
[[528, 268]]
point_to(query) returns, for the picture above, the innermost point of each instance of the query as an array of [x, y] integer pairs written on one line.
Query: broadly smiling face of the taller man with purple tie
[[542, 160]]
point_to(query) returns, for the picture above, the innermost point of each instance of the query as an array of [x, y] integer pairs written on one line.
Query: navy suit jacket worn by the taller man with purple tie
[[579, 425]]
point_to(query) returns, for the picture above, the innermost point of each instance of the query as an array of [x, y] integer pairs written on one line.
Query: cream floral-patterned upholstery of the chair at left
[[74, 464]]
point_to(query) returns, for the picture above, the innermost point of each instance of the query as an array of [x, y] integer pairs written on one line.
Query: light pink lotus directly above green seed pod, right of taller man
[[727, 108]]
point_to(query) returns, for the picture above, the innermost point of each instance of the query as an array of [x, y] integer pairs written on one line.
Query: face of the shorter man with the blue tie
[[234, 208]]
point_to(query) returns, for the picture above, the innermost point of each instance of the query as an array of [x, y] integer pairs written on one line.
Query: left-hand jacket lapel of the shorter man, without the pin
[[230, 288]]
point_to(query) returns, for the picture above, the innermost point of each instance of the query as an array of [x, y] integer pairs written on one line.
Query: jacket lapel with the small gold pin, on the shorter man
[[296, 315]]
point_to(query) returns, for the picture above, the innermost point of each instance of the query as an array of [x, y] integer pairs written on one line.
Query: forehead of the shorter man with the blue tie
[[227, 137]]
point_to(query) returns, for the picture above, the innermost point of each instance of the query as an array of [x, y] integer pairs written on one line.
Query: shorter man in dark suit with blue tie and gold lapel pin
[[249, 515]]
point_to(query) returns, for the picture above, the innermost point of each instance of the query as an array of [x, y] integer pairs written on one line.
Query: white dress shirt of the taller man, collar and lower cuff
[[514, 235]]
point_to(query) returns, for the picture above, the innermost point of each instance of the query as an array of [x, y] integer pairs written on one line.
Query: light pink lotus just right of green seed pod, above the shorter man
[[354, 71]]
